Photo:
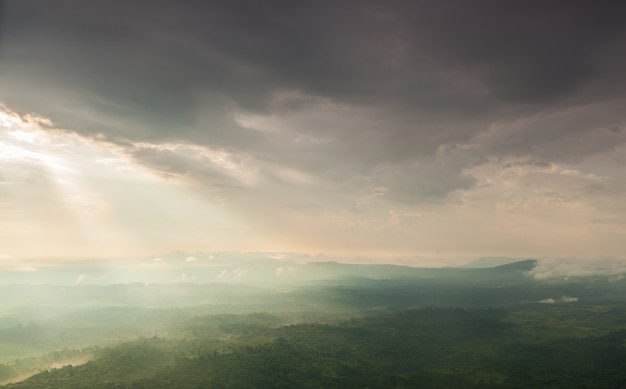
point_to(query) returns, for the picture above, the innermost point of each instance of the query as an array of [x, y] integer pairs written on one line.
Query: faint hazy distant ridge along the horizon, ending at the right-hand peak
[[254, 270]]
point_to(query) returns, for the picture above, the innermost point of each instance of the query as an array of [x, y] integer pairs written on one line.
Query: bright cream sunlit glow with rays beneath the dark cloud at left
[[62, 195]]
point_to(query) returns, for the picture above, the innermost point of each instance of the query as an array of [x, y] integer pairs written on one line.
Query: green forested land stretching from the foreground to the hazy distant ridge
[[374, 326]]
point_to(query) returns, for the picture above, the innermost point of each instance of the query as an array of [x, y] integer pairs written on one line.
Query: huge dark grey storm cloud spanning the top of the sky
[[415, 76]]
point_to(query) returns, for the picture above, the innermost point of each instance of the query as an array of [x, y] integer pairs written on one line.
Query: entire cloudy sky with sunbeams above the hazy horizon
[[416, 130]]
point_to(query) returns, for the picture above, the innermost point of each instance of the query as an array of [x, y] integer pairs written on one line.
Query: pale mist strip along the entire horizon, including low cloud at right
[[267, 268]]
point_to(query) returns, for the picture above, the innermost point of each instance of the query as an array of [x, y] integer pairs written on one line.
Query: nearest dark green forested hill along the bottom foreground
[[426, 348]]
